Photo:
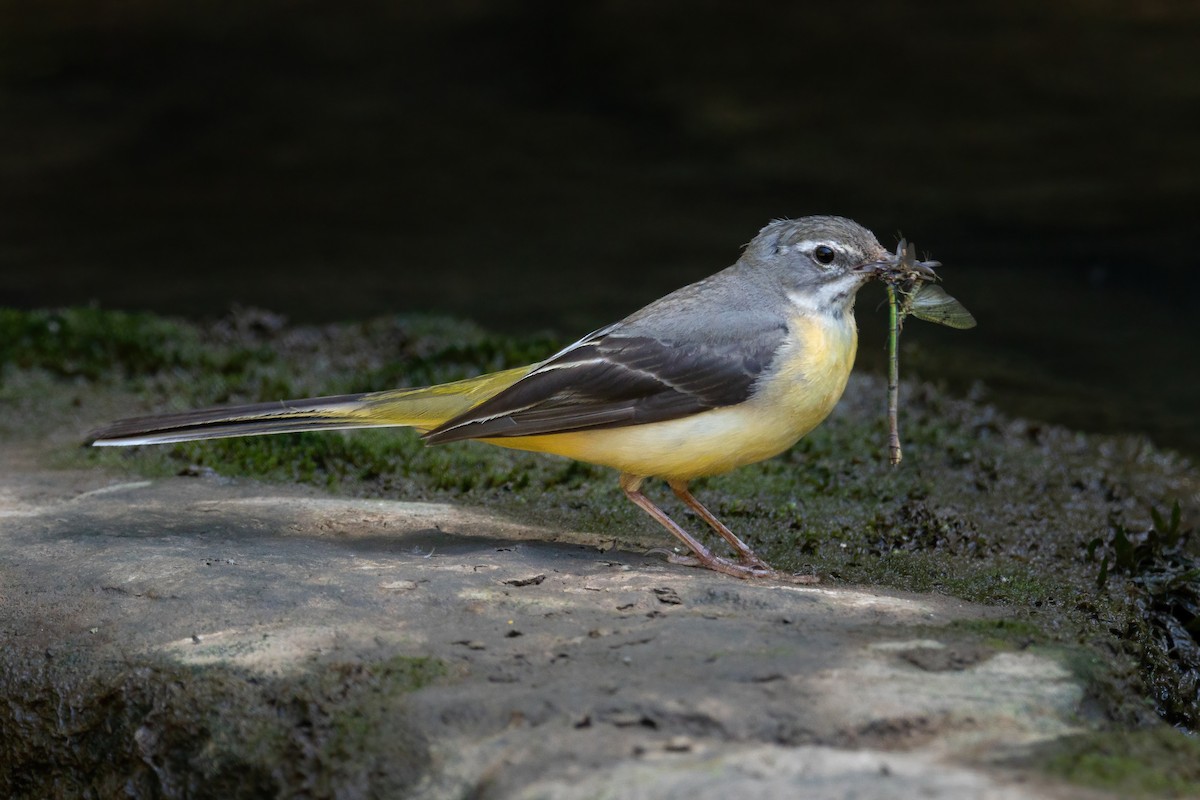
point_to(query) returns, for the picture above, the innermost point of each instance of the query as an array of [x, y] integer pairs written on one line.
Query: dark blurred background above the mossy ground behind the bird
[[548, 165]]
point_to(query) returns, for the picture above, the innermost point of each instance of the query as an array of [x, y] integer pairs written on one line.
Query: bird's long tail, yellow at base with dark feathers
[[424, 410]]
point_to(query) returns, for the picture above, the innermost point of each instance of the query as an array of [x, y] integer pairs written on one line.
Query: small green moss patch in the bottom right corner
[[1156, 763]]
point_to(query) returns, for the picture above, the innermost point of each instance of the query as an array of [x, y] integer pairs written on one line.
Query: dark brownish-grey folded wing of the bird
[[614, 378]]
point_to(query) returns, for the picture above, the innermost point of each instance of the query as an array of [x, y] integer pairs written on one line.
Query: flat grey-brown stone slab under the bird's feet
[[194, 636]]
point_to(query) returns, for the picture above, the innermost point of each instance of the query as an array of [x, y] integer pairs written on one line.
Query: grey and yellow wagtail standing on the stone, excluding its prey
[[722, 374]]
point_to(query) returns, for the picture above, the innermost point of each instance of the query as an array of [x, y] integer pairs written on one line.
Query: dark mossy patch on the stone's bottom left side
[[157, 729]]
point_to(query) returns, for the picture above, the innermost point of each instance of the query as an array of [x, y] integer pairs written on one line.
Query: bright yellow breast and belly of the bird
[[801, 389]]
